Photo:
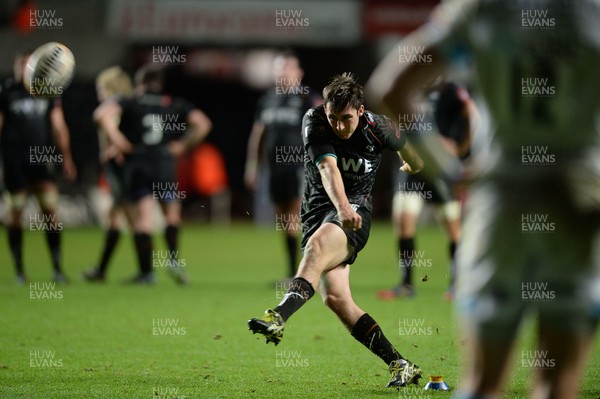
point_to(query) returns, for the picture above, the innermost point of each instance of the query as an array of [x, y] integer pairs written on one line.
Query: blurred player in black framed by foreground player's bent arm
[[455, 117]]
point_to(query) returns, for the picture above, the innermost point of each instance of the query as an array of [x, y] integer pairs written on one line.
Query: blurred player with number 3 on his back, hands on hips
[[154, 130]]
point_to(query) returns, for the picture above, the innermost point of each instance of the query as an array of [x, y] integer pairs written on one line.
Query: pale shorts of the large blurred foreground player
[[527, 250]]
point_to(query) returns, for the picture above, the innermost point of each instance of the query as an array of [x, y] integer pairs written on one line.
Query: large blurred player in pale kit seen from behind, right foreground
[[530, 240]]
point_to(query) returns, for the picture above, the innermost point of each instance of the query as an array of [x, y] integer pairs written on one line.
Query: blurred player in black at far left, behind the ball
[[31, 130]]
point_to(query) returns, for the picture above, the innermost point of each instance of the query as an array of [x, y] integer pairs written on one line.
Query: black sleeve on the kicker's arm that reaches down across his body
[[314, 136]]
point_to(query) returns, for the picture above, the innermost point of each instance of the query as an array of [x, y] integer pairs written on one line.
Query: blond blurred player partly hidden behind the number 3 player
[[112, 84]]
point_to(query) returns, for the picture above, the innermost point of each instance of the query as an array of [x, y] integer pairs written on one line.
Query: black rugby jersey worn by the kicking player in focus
[[358, 157]]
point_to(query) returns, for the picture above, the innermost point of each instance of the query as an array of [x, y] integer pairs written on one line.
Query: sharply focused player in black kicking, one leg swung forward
[[343, 149]]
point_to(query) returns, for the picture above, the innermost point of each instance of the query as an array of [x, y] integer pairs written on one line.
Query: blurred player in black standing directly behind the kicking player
[[277, 131]]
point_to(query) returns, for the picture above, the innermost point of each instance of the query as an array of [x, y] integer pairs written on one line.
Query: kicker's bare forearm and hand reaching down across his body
[[334, 186]]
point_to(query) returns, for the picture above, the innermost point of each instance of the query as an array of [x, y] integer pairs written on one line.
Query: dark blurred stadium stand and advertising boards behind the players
[[226, 48]]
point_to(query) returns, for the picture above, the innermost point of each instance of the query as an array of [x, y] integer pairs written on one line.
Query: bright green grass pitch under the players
[[115, 341]]
